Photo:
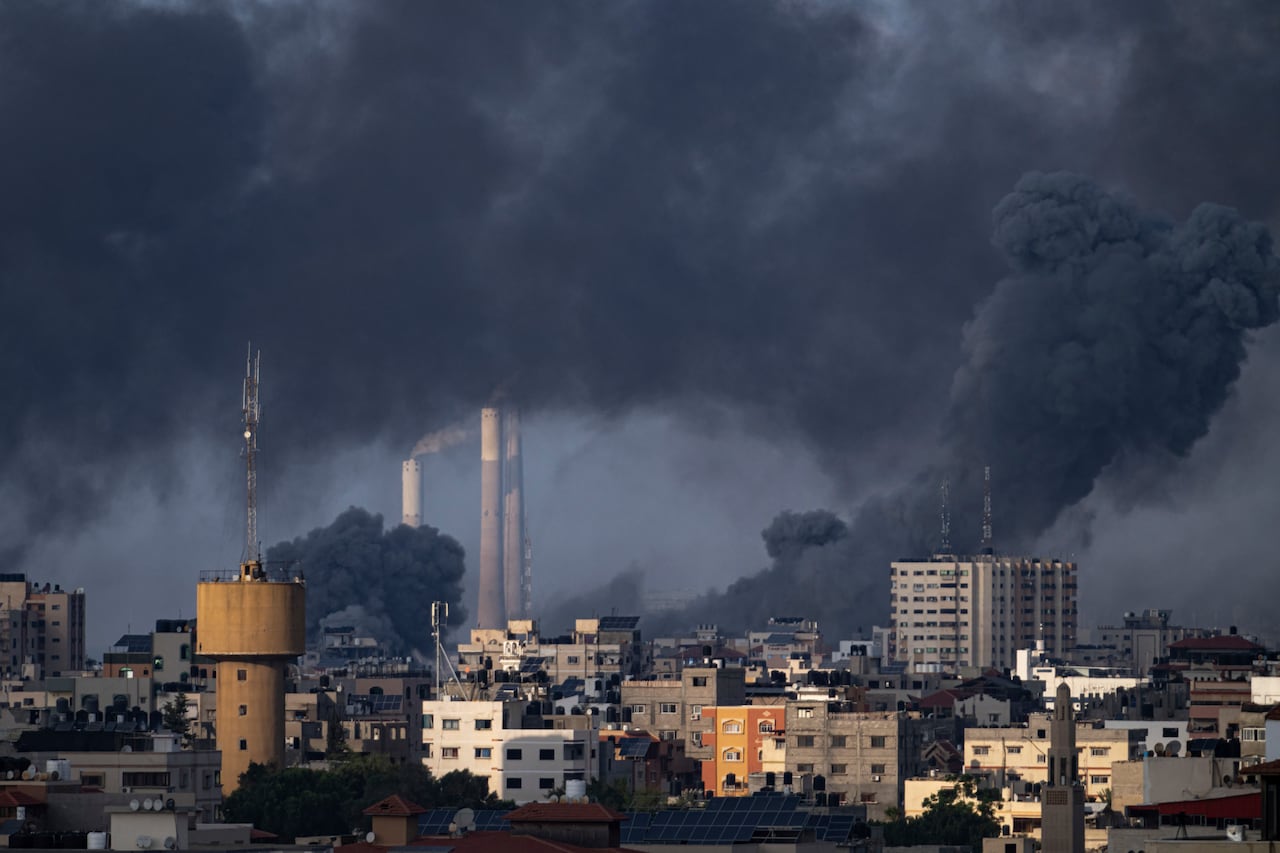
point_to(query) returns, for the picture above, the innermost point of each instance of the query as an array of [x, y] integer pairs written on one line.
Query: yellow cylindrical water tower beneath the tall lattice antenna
[[254, 626]]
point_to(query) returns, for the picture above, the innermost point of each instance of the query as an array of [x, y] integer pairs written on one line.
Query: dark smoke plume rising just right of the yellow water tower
[[378, 581]]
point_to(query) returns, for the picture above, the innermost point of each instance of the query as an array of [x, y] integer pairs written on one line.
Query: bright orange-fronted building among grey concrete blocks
[[743, 740]]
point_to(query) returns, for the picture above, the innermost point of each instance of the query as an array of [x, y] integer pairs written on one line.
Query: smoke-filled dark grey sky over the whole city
[[733, 258]]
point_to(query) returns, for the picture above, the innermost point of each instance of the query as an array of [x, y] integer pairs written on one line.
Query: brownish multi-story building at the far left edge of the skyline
[[42, 627]]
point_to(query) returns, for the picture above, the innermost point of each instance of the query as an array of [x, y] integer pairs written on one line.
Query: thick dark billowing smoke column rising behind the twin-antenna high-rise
[[1117, 337]]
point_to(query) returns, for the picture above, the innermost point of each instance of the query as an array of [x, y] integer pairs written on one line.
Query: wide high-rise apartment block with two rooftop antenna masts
[[950, 613]]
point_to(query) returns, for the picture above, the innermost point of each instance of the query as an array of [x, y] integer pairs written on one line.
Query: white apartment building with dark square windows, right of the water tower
[[487, 738]]
